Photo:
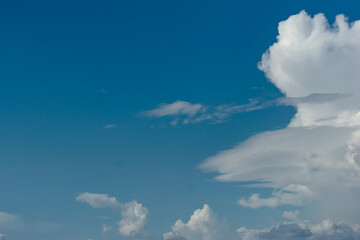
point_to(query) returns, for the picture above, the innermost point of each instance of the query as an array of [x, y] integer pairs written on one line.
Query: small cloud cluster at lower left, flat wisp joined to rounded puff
[[133, 214]]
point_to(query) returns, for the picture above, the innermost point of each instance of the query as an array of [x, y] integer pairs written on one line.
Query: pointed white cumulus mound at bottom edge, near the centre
[[203, 224]]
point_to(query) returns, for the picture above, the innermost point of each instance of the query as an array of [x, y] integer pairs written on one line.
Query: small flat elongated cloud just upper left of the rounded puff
[[96, 200]]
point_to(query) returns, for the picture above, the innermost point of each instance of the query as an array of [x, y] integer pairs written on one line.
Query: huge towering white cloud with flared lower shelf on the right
[[316, 66]]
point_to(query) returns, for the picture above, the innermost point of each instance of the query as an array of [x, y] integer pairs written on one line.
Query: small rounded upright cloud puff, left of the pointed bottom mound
[[134, 217]]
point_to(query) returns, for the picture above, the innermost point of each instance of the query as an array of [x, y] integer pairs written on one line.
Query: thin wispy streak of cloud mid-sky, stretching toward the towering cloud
[[189, 113]]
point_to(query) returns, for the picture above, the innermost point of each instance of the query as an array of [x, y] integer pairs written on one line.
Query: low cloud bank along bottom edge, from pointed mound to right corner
[[205, 225]]
